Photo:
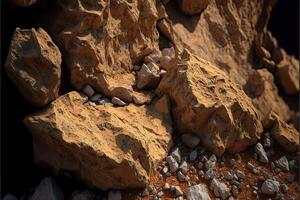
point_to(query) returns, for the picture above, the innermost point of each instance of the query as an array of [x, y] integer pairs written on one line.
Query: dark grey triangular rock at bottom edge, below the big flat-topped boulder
[[48, 190]]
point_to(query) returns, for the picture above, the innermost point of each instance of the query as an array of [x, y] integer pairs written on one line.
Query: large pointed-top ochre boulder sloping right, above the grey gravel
[[205, 102]]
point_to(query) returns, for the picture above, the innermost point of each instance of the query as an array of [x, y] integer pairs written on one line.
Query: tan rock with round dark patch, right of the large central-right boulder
[[263, 91]]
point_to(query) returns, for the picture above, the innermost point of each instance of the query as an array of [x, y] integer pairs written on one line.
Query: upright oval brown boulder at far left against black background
[[34, 65]]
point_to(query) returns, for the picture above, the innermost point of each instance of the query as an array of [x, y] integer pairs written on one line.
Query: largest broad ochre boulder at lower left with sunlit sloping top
[[100, 143]]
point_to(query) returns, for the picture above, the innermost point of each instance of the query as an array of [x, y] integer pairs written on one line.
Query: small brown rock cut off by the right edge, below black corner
[[287, 73]]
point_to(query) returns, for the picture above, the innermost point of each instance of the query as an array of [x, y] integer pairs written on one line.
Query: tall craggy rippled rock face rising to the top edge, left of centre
[[102, 40]]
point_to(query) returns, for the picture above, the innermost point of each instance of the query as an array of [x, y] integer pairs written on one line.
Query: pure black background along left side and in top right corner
[[18, 172]]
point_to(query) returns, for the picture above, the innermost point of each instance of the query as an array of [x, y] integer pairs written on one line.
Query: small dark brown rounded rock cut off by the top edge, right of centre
[[192, 7]]
